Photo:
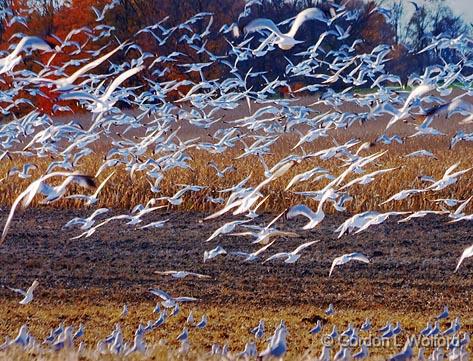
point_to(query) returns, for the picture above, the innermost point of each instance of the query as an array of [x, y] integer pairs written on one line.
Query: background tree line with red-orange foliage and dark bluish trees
[[405, 27]]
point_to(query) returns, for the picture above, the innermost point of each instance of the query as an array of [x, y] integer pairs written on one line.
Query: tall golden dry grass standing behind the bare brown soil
[[124, 192]]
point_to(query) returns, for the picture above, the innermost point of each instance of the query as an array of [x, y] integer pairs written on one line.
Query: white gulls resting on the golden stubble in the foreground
[[444, 337]]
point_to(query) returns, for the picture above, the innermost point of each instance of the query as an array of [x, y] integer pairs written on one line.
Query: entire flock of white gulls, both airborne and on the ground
[[160, 147]]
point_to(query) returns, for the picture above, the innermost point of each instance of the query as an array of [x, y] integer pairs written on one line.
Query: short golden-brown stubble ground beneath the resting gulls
[[227, 324]]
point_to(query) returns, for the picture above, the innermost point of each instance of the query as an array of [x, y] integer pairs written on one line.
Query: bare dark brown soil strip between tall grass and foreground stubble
[[412, 264]]
